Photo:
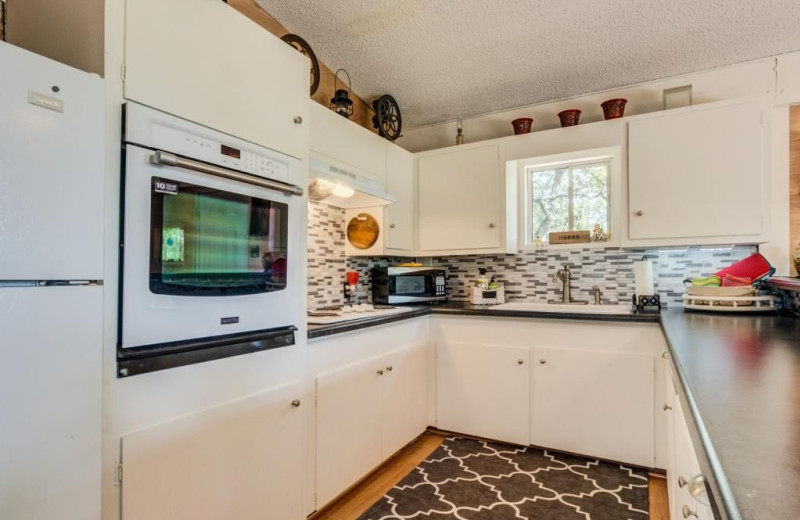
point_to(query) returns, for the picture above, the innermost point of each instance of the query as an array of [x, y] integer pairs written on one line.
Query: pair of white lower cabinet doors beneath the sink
[[588, 402]]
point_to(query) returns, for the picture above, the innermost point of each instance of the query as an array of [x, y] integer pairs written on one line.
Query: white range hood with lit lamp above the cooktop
[[335, 184]]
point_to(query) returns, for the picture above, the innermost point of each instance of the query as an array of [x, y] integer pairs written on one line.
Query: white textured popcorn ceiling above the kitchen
[[445, 58]]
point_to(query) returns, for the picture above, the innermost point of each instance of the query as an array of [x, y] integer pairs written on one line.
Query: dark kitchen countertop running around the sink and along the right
[[740, 385]]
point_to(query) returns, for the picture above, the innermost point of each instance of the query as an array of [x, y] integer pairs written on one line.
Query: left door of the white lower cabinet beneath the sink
[[484, 390]]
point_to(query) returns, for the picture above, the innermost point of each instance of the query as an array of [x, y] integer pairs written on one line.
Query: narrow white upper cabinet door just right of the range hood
[[400, 185]]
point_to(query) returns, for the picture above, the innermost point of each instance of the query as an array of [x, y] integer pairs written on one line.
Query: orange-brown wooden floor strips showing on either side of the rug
[[353, 503]]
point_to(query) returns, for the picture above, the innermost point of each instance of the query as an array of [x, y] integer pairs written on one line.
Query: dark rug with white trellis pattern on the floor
[[473, 480]]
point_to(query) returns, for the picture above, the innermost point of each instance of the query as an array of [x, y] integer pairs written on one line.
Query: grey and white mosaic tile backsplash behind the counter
[[526, 276]]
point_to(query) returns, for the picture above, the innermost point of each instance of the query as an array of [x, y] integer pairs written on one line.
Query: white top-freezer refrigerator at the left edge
[[51, 292]]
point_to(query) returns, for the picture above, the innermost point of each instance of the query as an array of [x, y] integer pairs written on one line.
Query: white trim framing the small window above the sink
[[612, 155]]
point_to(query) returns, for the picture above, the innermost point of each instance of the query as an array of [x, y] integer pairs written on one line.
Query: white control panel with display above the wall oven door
[[227, 155]]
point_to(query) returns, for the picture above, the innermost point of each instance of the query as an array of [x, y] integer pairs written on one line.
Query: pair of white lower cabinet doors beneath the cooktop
[[366, 412]]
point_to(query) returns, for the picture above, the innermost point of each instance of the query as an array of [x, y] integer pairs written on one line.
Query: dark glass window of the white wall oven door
[[207, 242]]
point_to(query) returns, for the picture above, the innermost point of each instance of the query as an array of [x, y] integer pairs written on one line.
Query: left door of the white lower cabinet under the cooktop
[[348, 427]]
